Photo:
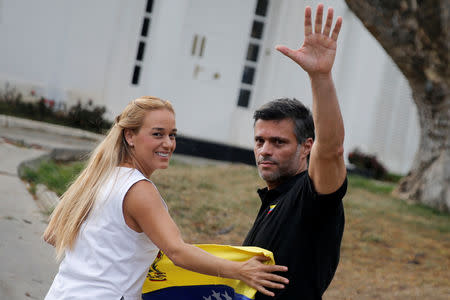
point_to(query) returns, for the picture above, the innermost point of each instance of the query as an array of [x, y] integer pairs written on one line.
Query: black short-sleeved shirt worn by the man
[[304, 231]]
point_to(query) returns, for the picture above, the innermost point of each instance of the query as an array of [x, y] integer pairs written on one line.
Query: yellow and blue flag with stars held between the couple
[[167, 281]]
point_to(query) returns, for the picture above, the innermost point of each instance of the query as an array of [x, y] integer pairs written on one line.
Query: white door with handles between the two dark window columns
[[215, 36]]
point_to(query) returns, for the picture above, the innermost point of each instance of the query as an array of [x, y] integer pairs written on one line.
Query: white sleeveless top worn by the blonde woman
[[109, 259]]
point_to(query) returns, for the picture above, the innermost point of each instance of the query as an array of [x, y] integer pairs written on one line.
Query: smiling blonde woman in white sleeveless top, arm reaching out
[[112, 221]]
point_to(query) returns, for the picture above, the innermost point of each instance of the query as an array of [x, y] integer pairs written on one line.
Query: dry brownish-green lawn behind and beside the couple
[[390, 250]]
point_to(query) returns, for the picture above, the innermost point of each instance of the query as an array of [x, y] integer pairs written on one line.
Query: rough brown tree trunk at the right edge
[[416, 34]]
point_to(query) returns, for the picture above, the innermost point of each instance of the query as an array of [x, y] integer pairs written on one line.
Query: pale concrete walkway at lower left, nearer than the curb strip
[[27, 262]]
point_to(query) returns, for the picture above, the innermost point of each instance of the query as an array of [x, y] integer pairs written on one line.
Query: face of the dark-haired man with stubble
[[277, 153]]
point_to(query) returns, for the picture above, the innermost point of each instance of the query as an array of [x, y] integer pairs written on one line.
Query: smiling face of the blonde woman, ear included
[[154, 143]]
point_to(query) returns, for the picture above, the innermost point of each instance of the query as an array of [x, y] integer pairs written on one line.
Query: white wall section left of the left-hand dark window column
[[61, 46]]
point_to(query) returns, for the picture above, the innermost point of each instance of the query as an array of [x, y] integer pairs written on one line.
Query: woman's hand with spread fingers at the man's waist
[[259, 276]]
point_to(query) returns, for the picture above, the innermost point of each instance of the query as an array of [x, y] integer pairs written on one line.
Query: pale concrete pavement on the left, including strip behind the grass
[[27, 262]]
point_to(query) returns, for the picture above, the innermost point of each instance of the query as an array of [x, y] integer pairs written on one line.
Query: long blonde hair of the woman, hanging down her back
[[77, 201]]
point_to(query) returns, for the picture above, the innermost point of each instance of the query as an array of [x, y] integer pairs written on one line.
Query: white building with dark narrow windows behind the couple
[[213, 59]]
